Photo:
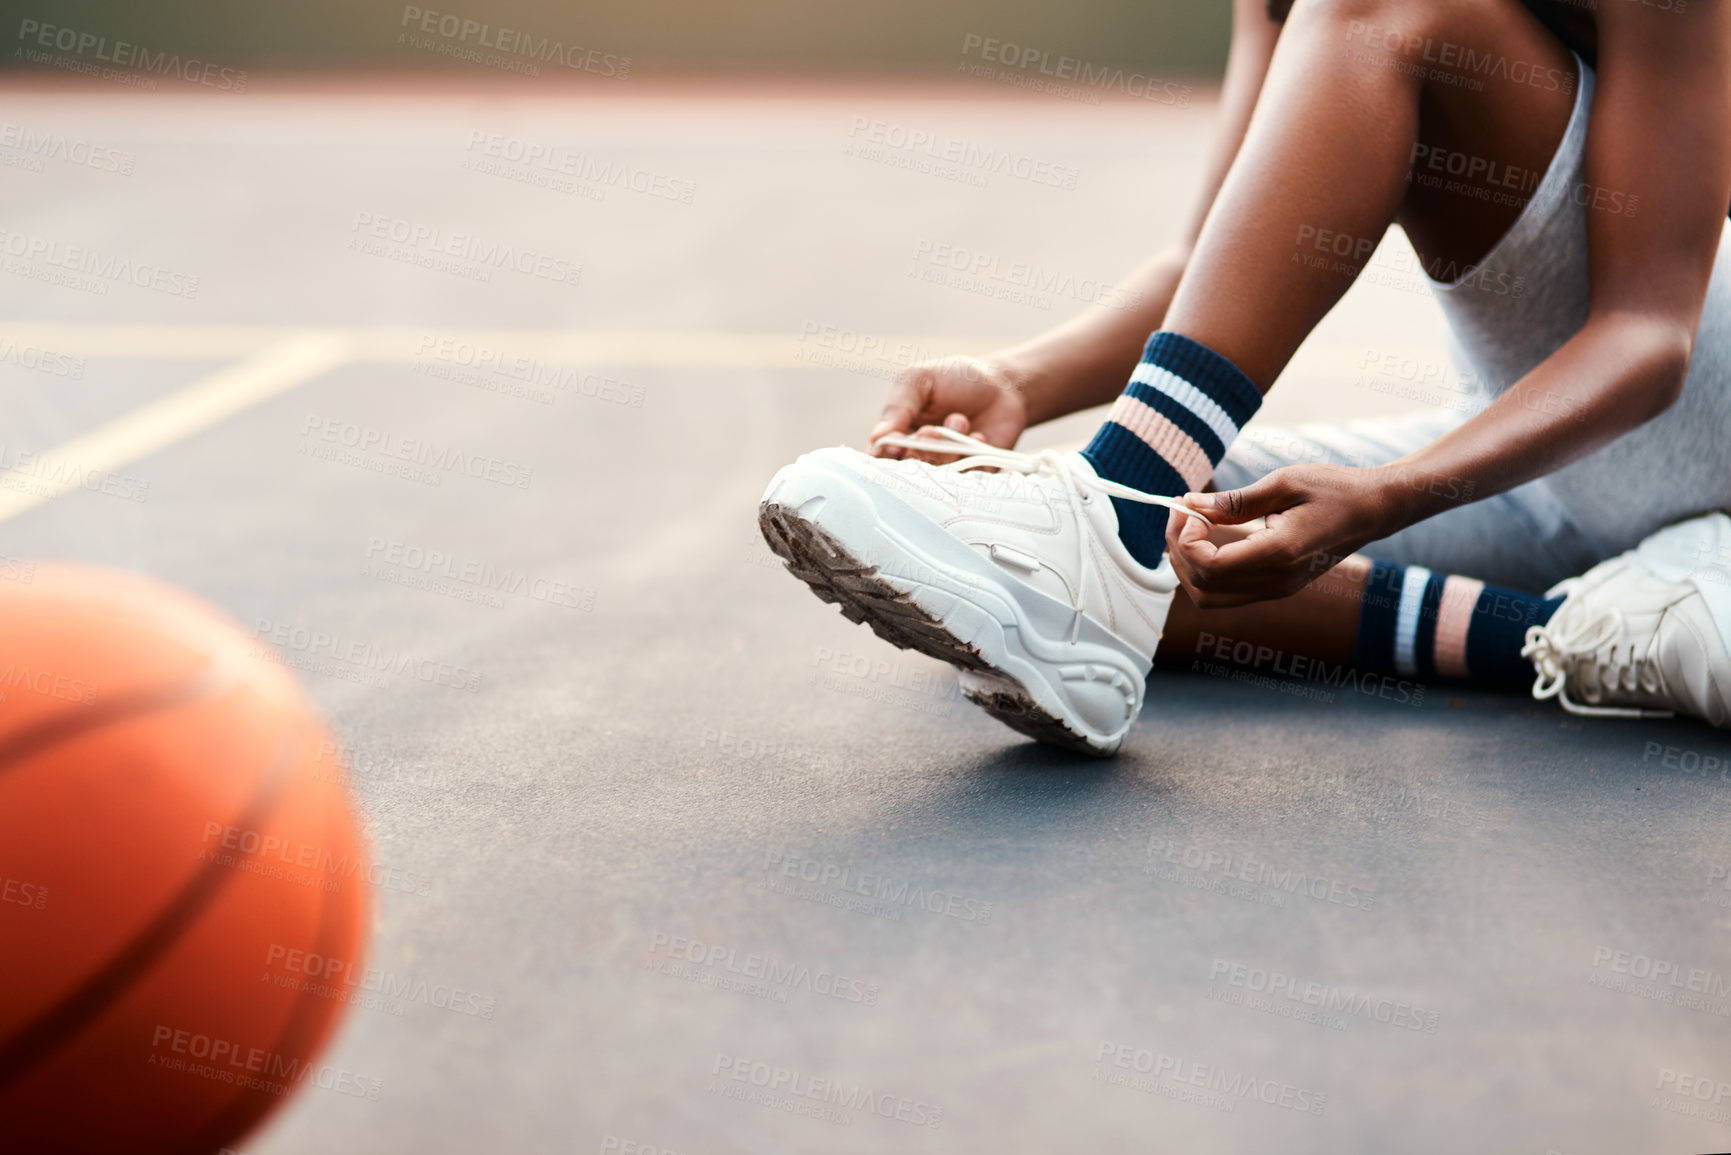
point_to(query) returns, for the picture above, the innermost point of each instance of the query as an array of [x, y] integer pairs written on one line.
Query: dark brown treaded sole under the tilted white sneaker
[[854, 586]]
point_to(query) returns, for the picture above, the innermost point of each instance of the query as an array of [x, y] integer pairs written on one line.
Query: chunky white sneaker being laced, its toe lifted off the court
[[1014, 576]]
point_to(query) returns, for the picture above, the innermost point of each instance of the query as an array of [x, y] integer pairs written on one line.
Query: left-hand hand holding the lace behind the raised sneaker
[[967, 394]]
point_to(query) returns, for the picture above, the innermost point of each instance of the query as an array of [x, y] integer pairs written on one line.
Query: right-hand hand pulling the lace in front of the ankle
[[1313, 519]]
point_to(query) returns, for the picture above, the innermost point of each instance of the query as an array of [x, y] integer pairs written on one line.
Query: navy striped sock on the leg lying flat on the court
[[1434, 626]]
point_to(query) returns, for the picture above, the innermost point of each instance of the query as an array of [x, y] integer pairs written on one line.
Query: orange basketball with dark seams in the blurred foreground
[[171, 836]]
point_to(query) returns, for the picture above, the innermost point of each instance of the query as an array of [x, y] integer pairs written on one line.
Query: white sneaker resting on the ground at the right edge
[[1645, 635]]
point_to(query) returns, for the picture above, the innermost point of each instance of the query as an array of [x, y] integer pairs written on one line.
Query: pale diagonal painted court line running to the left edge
[[181, 415]]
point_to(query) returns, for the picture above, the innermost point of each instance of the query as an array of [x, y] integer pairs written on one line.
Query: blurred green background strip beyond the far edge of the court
[[662, 37]]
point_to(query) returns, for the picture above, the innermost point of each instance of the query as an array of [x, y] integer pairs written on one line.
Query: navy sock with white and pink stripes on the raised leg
[[1168, 432]]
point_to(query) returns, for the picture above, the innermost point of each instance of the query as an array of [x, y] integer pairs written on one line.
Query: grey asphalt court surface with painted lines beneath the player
[[705, 855]]
